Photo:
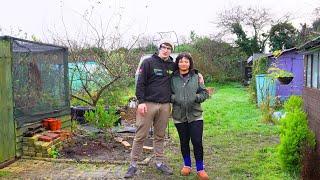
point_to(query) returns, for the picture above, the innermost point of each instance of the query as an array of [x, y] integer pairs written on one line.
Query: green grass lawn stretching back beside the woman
[[237, 145]]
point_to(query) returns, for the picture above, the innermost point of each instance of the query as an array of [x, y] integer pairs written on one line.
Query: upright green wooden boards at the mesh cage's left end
[[7, 128]]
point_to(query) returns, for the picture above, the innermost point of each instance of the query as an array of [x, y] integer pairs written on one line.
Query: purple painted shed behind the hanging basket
[[290, 60]]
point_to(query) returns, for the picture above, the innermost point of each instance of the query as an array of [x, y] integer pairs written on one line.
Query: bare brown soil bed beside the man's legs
[[97, 146]]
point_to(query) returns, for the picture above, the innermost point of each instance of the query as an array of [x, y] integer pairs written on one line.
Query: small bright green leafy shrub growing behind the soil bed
[[101, 118]]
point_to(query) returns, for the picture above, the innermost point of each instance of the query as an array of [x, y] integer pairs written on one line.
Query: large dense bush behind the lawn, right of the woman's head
[[217, 60]]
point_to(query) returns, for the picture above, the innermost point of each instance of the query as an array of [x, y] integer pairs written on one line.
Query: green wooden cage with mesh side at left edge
[[33, 86]]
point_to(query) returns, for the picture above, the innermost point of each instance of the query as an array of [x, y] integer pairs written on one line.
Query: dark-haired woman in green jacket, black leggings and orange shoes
[[187, 94]]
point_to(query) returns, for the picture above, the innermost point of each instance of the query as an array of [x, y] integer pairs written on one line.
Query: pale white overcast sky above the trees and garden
[[147, 17]]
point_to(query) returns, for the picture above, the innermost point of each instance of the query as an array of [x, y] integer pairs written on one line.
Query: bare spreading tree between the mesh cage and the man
[[100, 57]]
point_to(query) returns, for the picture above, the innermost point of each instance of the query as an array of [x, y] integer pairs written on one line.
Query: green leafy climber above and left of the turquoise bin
[[260, 66]]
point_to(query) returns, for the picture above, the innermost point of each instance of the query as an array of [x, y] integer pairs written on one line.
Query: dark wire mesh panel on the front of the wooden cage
[[40, 80]]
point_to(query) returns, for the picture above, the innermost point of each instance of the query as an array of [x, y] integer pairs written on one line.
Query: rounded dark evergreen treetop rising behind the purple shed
[[282, 35]]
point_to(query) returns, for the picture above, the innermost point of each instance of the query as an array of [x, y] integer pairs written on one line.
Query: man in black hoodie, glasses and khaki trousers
[[153, 93]]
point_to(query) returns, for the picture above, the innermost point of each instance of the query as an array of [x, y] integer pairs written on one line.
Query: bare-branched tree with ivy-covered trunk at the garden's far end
[[248, 25]]
